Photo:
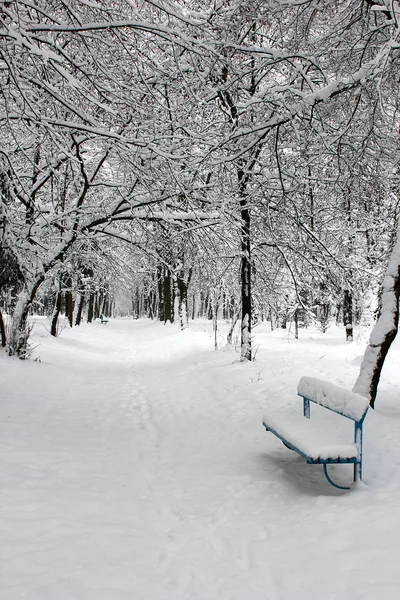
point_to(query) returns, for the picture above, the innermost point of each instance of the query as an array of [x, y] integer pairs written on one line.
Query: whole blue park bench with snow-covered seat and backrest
[[314, 439]]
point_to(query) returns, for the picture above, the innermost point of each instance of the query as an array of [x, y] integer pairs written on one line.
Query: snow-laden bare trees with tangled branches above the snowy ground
[[244, 148]]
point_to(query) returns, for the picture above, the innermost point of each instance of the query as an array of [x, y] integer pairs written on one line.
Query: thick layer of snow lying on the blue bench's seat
[[307, 436]]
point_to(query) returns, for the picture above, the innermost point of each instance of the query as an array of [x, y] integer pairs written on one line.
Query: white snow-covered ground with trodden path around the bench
[[134, 466]]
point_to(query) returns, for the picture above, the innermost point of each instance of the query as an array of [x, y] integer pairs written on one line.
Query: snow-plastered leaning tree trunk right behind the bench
[[384, 331]]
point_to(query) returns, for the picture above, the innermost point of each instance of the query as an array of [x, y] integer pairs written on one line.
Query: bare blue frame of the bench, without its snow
[[358, 440]]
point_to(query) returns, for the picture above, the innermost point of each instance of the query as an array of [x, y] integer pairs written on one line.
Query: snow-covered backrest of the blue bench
[[346, 403]]
